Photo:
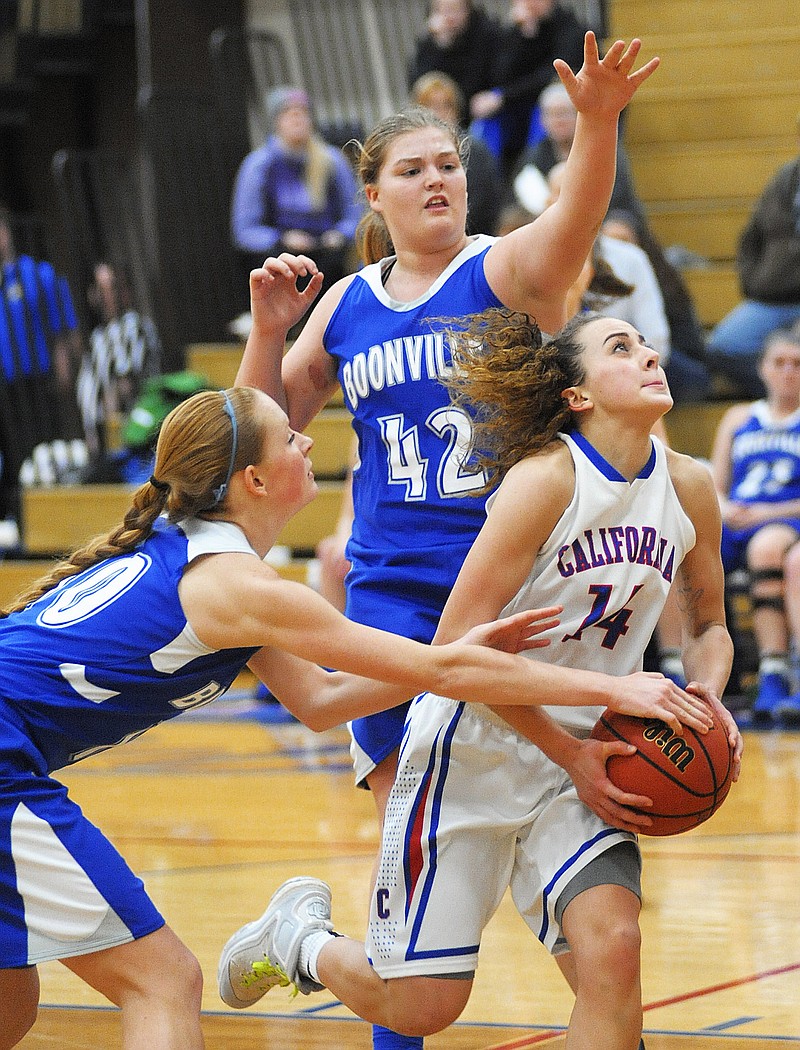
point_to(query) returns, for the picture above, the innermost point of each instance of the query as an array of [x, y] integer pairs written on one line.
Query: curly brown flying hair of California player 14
[[511, 382]]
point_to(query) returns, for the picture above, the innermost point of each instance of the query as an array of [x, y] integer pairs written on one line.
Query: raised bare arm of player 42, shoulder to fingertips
[[533, 268]]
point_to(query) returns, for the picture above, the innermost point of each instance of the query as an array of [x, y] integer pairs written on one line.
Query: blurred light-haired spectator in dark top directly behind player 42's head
[[486, 188]]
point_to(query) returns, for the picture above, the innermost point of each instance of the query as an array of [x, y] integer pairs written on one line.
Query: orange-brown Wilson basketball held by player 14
[[688, 776]]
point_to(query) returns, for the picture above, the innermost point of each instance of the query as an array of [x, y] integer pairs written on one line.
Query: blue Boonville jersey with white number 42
[[413, 485]]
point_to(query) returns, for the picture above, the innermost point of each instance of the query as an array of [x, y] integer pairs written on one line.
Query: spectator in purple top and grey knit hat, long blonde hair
[[297, 193]]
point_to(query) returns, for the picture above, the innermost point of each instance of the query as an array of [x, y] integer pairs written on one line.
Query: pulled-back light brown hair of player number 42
[[373, 239]]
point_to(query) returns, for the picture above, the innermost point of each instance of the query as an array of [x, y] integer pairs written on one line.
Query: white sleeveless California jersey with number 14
[[610, 562]]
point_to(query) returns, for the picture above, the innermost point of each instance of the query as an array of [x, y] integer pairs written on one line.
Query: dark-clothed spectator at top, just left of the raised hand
[[539, 32]]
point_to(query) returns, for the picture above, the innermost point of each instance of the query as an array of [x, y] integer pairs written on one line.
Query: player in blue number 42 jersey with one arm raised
[[417, 509]]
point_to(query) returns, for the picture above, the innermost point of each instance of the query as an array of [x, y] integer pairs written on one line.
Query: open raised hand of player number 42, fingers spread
[[603, 88]]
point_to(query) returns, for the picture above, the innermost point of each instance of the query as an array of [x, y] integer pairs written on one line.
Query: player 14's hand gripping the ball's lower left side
[[588, 772]]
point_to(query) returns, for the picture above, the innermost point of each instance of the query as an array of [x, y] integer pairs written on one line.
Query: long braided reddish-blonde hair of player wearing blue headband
[[193, 459]]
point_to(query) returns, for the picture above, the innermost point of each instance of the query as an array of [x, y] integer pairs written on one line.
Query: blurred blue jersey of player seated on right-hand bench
[[766, 458]]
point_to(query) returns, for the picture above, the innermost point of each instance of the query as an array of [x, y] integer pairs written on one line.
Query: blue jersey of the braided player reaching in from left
[[109, 654]]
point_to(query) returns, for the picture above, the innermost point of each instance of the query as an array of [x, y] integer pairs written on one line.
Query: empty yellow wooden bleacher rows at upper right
[[714, 123]]
